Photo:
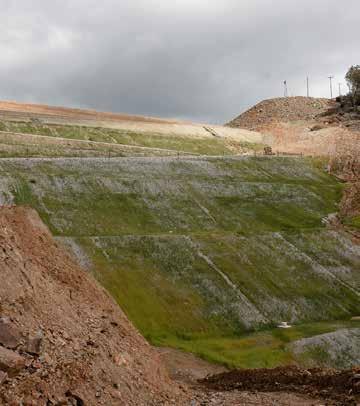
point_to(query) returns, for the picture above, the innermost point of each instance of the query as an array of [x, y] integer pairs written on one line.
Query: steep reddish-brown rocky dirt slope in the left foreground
[[62, 339]]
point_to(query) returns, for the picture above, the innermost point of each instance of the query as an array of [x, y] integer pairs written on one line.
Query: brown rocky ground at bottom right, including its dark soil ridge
[[215, 385]]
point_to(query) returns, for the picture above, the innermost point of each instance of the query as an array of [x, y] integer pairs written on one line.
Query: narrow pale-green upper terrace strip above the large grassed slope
[[35, 138]]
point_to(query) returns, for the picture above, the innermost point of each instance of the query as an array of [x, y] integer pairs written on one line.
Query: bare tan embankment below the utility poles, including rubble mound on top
[[305, 125]]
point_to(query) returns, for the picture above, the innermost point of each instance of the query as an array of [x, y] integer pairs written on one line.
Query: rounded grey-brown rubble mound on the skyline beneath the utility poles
[[280, 109]]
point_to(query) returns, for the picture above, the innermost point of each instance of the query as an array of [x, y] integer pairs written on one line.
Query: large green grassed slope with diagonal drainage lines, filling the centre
[[199, 251]]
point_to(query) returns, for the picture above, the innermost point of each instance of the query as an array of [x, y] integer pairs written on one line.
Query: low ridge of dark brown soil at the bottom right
[[343, 387]]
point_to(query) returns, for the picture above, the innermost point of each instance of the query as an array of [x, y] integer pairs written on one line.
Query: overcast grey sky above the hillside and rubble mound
[[203, 60]]
